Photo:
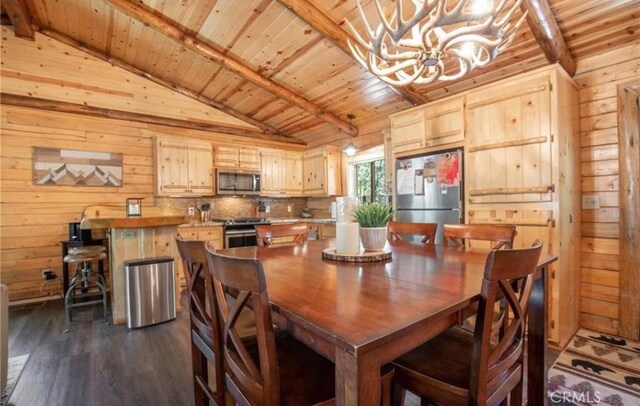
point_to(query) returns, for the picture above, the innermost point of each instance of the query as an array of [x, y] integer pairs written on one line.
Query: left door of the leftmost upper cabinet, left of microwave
[[172, 169]]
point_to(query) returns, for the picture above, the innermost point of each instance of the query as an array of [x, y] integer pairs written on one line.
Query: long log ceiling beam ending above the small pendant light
[[173, 30]]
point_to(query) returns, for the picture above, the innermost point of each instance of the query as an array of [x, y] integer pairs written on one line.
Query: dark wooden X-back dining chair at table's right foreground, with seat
[[462, 368]]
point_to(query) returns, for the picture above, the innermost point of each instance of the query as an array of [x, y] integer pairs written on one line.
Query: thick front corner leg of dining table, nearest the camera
[[357, 379]]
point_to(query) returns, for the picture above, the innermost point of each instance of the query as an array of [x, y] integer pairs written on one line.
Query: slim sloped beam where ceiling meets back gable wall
[[179, 89]]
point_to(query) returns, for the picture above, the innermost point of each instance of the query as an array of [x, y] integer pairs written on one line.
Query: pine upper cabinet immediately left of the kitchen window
[[322, 171]]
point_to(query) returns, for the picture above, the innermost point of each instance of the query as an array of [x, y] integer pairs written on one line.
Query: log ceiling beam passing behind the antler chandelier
[[321, 22]]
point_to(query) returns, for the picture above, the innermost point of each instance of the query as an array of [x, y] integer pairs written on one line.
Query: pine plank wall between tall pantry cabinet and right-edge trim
[[598, 78]]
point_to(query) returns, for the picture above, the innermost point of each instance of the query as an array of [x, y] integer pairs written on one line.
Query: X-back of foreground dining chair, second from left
[[250, 378]]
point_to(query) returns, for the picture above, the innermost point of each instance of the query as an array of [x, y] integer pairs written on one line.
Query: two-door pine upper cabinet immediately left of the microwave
[[183, 167]]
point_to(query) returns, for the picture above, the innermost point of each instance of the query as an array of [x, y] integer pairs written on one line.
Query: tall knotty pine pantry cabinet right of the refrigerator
[[522, 168]]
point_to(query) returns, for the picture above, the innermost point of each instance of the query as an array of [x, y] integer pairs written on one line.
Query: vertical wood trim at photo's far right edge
[[629, 173]]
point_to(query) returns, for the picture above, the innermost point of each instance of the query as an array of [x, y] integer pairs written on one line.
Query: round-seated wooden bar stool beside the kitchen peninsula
[[83, 280]]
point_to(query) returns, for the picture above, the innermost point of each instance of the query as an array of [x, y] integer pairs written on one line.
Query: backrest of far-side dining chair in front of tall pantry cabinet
[[500, 235]]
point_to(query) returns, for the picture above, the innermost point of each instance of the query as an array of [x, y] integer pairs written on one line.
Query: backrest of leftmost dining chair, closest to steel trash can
[[203, 308]]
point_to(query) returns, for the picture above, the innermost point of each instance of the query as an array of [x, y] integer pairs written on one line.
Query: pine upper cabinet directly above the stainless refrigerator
[[432, 125]]
